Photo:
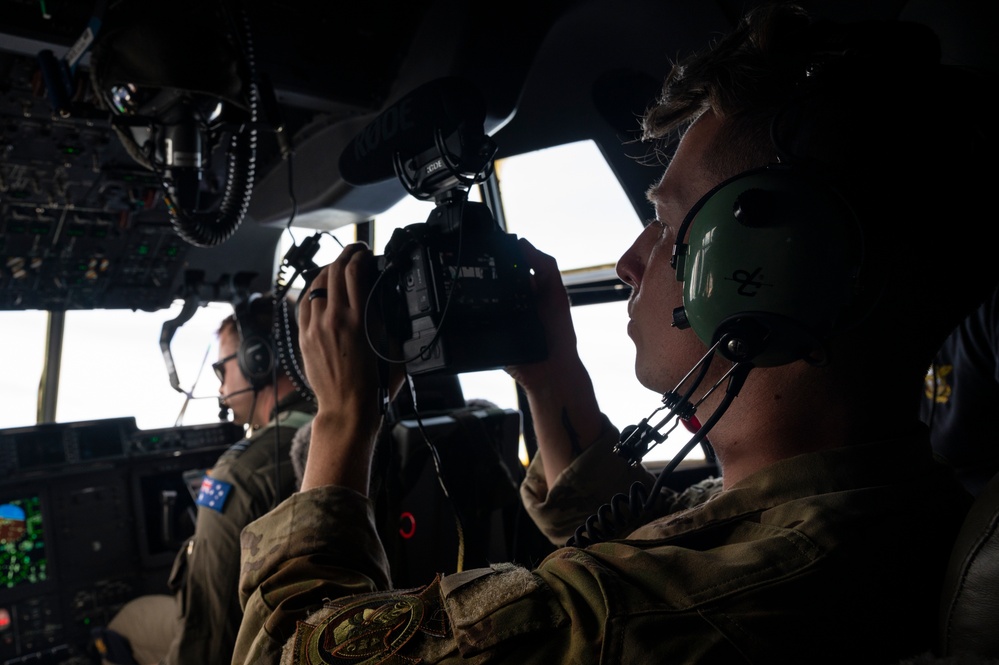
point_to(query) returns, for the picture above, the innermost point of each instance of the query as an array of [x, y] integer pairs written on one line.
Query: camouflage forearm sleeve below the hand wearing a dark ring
[[316, 545]]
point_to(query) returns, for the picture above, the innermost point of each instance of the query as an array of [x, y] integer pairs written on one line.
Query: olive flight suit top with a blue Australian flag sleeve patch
[[205, 572]]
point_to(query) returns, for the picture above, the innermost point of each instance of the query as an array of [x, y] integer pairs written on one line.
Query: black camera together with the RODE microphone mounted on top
[[455, 291]]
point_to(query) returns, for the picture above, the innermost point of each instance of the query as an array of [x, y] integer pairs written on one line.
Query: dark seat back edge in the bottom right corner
[[970, 602]]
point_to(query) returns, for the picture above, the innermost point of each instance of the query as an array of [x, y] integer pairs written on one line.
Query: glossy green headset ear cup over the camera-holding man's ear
[[769, 267]]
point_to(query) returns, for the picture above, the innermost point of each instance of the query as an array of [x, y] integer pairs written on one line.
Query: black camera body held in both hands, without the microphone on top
[[458, 293]]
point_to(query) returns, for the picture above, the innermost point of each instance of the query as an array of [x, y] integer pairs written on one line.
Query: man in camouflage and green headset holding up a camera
[[829, 537]]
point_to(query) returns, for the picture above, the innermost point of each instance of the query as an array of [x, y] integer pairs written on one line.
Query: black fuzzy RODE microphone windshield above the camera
[[409, 126]]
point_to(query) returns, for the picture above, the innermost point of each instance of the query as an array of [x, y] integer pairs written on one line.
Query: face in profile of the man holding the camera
[[665, 354]]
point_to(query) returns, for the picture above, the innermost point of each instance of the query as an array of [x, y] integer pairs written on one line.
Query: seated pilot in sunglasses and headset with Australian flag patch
[[199, 623]]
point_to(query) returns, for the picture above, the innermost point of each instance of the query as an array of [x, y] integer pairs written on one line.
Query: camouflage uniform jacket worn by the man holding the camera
[[831, 556]]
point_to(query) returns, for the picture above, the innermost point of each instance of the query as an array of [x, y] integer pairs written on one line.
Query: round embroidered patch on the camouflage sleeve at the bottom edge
[[371, 629]]
